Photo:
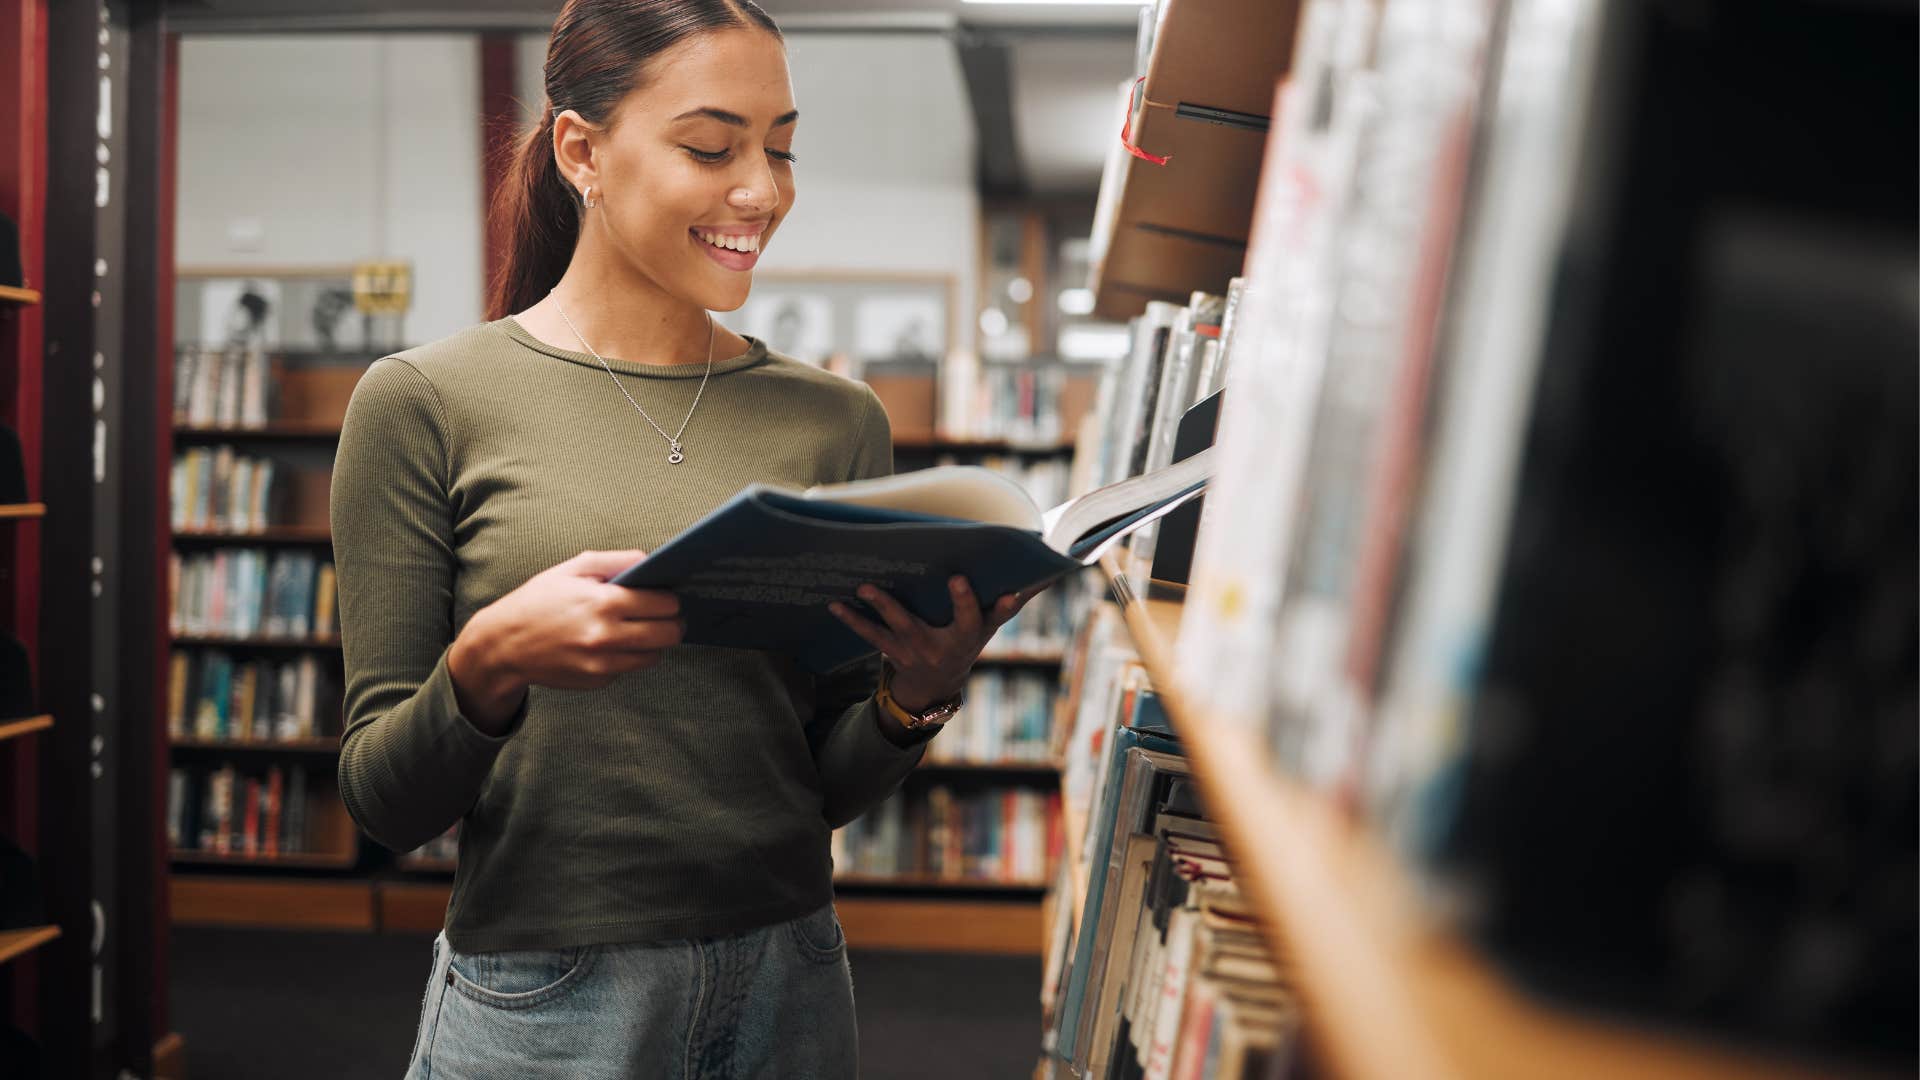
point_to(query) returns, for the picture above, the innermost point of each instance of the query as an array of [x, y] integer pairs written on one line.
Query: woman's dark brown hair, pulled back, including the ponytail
[[594, 59]]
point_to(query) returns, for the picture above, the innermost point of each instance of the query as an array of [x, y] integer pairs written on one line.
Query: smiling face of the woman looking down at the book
[[694, 174]]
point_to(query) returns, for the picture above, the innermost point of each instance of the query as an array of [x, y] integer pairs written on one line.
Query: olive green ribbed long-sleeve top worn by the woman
[[686, 800]]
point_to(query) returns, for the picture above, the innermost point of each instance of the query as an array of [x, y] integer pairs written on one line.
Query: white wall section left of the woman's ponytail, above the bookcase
[[327, 151]]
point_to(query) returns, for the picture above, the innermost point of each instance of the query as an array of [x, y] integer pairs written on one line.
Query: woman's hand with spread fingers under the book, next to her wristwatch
[[930, 664]]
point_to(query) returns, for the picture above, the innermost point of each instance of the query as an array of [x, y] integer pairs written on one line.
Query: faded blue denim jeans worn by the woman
[[767, 1004]]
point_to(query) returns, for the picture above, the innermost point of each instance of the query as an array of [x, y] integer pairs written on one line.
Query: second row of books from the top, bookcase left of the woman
[[220, 489]]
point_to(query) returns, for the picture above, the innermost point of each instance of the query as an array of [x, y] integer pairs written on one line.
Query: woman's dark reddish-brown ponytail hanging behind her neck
[[540, 218]]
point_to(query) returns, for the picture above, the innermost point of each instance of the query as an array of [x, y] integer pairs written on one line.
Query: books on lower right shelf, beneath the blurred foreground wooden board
[[1159, 970]]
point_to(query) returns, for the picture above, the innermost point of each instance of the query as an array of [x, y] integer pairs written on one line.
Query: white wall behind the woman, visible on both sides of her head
[[320, 149]]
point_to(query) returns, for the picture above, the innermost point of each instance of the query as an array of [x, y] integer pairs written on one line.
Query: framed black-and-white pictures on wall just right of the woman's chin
[[848, 320]]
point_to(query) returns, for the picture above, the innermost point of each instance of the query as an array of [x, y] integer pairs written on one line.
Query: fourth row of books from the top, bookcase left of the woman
[[214, 697]]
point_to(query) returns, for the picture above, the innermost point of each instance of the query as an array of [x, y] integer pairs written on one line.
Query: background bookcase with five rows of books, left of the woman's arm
[[252, 466]]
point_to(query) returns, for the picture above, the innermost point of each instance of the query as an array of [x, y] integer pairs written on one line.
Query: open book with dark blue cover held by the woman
[[759, 572]]
